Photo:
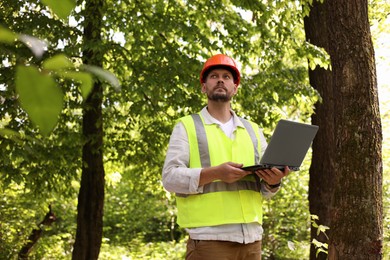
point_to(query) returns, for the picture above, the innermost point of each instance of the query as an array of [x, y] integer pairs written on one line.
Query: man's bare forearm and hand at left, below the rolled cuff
[[228, 172]]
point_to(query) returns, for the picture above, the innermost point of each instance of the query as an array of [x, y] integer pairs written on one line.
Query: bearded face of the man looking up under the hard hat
[[219, 85]]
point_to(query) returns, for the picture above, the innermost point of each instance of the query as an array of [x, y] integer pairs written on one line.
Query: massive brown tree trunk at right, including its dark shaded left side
[[345, 188]]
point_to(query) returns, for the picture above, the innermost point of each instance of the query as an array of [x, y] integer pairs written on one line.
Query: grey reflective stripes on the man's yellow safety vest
[[205, 160]]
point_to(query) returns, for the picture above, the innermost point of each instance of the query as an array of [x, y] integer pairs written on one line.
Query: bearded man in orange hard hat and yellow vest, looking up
[[218, 203]]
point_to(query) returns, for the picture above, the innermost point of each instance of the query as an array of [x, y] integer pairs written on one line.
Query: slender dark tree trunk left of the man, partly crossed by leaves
[[91, 194]]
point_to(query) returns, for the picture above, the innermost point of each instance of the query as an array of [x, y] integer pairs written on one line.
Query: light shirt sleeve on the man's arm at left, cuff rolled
[[176, 175]]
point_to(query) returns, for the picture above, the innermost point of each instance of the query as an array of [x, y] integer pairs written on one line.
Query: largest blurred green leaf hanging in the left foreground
[[39, 96]]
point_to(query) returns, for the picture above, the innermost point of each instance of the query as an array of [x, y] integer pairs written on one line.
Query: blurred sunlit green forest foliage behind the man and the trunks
[[156, 50]]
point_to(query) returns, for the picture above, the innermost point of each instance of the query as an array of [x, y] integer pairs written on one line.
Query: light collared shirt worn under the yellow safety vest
[[178, 178]]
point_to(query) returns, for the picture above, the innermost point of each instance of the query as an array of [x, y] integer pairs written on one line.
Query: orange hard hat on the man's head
[[223, 61]]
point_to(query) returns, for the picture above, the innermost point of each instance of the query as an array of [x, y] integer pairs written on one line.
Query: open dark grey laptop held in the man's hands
[[288, 146]]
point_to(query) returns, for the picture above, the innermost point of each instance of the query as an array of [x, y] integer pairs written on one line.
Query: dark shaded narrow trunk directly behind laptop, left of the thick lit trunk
[[322, 168]]
